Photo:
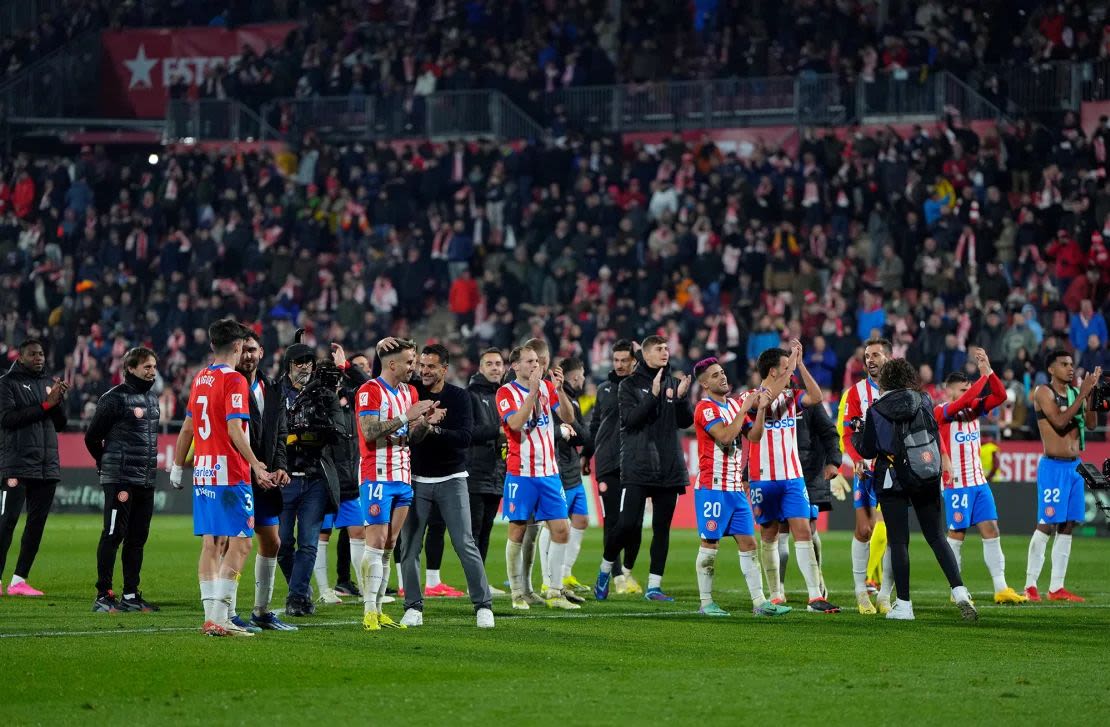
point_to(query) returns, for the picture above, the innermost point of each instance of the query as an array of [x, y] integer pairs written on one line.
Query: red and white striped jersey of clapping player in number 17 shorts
[[532, 450]]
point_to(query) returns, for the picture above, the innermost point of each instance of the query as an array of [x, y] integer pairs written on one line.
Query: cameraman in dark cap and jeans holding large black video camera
[[314, 489]]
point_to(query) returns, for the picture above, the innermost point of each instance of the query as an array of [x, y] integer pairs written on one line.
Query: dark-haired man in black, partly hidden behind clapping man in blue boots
[[604, 447]]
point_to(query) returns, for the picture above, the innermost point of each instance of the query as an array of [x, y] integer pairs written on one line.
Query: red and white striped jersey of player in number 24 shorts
[[961, 438]]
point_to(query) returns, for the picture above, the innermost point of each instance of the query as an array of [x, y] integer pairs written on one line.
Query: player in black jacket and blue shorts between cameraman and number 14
[[351, 542]]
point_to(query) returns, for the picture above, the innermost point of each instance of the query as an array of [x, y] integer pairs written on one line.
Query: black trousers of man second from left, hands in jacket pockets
[[128, 512]]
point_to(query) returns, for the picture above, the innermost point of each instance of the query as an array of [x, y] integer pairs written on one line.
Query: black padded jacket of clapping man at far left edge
[[28, 432]]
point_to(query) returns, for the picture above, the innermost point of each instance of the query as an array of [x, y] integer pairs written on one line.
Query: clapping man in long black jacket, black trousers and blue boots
[[653, 408]]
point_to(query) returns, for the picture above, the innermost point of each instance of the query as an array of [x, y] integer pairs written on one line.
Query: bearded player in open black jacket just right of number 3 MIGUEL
[[268, 433]]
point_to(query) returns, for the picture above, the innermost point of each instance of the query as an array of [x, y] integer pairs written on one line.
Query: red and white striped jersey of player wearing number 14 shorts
[[388, 459]]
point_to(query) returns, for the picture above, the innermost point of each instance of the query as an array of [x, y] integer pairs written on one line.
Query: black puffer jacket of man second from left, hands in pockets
[[123, 437]]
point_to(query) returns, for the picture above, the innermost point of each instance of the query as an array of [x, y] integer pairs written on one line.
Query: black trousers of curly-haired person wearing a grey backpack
[[930, 512]]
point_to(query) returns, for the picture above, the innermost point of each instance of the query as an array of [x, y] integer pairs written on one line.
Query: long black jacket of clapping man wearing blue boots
[[651, 453]]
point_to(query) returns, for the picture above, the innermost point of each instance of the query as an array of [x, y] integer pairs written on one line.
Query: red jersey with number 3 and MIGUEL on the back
[[218, 397]]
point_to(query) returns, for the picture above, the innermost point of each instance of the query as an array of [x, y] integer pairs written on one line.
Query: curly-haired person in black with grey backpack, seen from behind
[[904, 415]]
